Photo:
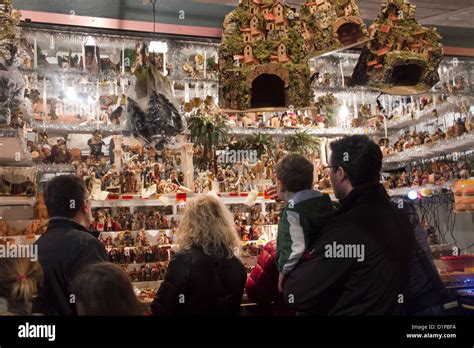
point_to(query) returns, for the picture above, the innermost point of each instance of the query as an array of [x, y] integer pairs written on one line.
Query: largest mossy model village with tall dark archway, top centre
[[263, 59]]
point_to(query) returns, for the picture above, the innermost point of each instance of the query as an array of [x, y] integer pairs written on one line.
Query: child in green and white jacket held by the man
[[305, 212]]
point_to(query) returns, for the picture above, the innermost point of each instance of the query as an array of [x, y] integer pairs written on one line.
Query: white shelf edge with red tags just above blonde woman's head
[[126, 200]]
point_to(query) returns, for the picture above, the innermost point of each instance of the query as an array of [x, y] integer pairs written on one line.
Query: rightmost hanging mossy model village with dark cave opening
[[403, 57]]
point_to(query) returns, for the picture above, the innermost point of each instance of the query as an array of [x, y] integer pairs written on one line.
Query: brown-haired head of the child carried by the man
[[294, 173]]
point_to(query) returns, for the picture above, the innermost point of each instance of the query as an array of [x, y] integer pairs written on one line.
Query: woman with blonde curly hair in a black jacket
[[205, 277]]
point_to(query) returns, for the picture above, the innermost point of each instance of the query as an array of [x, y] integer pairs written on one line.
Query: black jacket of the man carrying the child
[[330, 283]]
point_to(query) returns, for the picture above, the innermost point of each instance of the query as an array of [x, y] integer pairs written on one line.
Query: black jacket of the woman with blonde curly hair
[[199, 284]]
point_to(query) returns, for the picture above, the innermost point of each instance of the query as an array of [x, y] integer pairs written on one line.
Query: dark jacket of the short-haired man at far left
[[63, 250]]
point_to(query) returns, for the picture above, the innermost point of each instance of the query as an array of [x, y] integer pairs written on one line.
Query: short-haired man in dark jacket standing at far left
[[67, 245]]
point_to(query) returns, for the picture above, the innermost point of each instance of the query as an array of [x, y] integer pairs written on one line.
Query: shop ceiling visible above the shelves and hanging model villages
[[454, 18]]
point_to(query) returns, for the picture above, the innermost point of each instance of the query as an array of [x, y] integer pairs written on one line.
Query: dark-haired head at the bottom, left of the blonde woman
[[105, 289]]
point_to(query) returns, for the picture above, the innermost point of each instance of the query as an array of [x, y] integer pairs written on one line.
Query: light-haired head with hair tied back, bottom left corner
[[20, 280]]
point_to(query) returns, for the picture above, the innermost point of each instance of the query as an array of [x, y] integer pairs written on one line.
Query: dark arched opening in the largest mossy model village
[[268, 90]]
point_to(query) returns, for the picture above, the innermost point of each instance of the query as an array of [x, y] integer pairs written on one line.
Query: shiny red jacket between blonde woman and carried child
[[262, 283]]
